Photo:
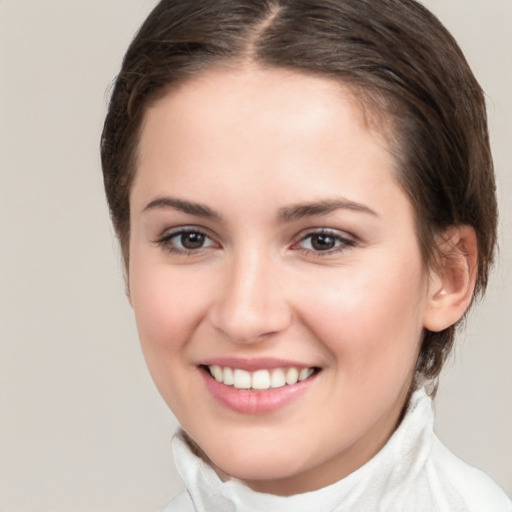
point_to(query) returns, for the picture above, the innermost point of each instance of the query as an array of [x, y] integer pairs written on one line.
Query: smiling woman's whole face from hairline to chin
[[270, 242]]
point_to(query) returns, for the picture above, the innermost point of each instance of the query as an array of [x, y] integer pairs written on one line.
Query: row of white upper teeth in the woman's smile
[[260, 379]]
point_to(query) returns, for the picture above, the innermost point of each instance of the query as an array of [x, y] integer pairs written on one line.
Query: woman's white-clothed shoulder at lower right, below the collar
[[453, 481]]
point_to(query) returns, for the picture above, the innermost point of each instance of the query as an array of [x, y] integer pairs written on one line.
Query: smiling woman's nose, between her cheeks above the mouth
[[251, 305]]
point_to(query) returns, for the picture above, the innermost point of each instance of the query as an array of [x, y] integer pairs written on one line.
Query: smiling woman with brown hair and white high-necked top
[[305, 201]]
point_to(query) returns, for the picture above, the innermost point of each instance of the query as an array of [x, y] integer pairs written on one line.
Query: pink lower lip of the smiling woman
[[247, 401]]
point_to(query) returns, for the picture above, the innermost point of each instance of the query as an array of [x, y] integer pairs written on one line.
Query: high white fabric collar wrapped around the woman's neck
[[375, 484]]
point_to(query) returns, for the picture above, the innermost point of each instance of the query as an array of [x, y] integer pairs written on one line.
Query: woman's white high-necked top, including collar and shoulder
[[414, 472]]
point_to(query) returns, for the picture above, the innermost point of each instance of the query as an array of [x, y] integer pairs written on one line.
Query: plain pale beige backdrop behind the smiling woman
[[81, 426]]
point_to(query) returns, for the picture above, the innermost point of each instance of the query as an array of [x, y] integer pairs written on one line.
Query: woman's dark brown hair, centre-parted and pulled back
[[393, 54]]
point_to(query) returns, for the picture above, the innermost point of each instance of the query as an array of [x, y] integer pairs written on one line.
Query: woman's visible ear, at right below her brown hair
[[452, 281]]
